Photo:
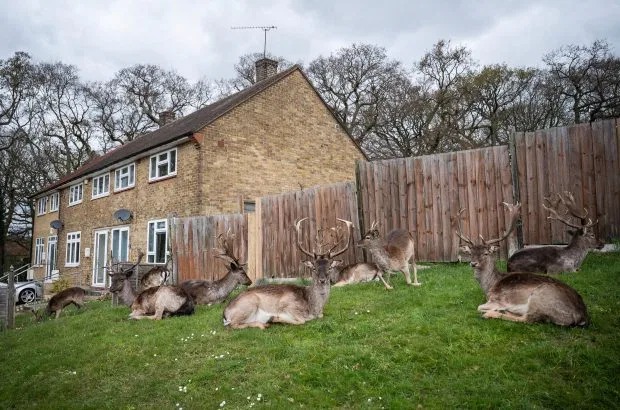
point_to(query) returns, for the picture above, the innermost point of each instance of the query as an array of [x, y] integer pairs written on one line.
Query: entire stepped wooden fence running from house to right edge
[[424, 195]]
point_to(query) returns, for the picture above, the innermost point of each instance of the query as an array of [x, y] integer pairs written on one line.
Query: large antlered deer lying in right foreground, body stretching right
[[521, 296]]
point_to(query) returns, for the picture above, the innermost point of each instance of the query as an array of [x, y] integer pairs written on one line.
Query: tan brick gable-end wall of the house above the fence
[[276, 142]]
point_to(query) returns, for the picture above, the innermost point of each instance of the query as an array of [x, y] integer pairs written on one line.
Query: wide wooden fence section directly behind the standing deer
[[427, 194]]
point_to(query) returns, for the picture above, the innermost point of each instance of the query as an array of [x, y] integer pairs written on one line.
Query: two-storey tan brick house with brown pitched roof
[[269, 138]]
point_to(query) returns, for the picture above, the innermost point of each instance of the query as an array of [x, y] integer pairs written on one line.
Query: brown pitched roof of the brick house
[[182, 127]]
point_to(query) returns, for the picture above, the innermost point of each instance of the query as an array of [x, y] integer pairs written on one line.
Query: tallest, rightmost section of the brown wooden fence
[[583, 159]]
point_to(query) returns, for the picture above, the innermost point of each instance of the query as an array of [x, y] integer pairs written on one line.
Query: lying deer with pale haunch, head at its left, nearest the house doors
[[151, 303]]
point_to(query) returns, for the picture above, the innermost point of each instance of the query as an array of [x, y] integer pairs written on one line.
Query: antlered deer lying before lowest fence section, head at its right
[[205, 292]]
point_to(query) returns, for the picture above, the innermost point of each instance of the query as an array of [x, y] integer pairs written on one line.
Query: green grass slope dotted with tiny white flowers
[[421, 347]]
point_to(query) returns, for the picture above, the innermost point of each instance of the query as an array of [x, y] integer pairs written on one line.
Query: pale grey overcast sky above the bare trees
[[194, 37]]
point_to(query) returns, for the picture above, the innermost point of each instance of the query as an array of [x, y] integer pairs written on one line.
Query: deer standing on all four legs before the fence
[[392, 253]]
